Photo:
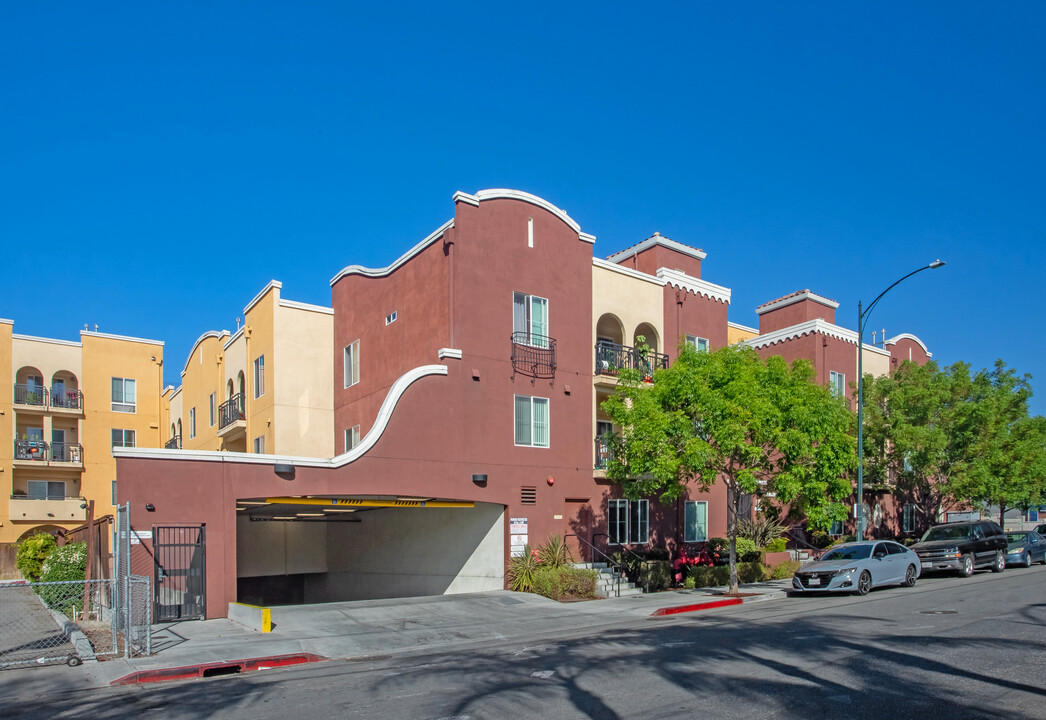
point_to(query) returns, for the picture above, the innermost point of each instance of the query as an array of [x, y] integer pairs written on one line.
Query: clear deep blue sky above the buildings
[[161, 163]]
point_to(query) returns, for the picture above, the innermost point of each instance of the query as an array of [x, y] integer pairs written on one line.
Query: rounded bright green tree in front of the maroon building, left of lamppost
[[760, 427]]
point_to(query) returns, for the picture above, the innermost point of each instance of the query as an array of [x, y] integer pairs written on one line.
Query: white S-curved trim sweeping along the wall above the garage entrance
[[369, 441]]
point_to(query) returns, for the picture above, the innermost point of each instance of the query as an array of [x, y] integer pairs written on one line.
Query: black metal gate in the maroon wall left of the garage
[[180, 573]]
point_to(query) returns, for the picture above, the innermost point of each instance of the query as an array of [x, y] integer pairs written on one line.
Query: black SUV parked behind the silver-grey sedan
[[963, 548]]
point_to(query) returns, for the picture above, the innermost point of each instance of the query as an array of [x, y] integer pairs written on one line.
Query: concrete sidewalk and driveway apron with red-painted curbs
[[306, 634]]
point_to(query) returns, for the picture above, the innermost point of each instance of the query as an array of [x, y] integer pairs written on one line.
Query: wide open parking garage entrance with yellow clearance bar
[[335, 549]]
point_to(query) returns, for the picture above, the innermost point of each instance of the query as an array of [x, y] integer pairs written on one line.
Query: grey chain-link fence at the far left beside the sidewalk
[[75, 621]]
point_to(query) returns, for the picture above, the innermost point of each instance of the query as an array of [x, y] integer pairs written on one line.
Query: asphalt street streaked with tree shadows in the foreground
[[948, 648]]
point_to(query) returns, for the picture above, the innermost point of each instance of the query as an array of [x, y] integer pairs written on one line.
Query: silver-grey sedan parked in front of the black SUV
[[858, 568]]
